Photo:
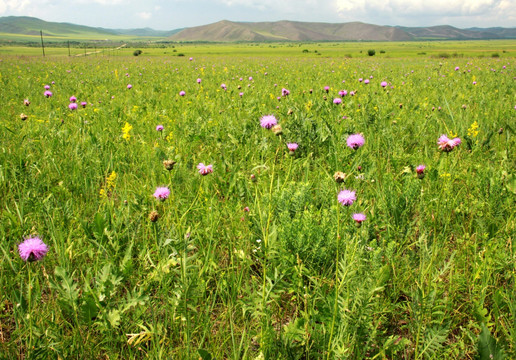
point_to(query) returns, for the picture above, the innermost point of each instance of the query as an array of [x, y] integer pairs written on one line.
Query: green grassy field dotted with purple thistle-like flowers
[[149, 252]]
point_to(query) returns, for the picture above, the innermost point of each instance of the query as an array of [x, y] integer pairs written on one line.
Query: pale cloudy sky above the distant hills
[[175, 14]]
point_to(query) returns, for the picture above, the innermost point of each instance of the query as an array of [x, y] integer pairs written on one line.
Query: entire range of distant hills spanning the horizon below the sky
[[230, 31]]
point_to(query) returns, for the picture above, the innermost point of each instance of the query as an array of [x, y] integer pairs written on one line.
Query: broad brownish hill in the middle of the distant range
[[289, 31]]
